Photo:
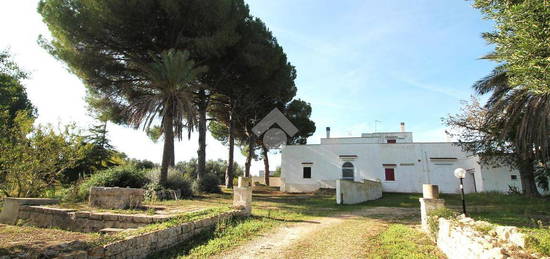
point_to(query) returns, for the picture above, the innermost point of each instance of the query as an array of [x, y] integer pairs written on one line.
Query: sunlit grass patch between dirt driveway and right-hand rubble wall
[[400, 241]]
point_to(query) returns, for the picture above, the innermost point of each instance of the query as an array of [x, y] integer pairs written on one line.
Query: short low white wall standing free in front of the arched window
[[350, 192]]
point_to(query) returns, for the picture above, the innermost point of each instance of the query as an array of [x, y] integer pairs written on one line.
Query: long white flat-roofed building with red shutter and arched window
[[391, 157]]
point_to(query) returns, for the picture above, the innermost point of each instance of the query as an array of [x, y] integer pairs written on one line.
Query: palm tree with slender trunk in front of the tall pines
[[167, 96]]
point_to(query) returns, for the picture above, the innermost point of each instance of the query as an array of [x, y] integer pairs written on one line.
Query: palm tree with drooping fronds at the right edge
[[523, 117]]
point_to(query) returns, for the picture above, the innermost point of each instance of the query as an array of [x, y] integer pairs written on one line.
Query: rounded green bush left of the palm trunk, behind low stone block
[[120, 176]]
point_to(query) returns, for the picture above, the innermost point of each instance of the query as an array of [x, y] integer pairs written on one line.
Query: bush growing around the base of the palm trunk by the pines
[[176, 180]]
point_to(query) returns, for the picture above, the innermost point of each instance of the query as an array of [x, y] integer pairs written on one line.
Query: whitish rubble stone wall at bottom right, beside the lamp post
[[465, 238]]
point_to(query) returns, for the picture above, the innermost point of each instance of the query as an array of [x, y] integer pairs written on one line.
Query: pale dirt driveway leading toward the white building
[[340, 236]]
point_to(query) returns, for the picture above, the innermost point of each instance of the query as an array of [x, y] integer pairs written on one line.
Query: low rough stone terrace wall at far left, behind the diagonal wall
[[83, 221]]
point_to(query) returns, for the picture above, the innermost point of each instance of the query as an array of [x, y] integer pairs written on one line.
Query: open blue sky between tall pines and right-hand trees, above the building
[[392, 61]]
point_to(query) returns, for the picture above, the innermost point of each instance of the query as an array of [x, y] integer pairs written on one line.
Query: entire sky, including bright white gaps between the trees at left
[[357, 62]]
